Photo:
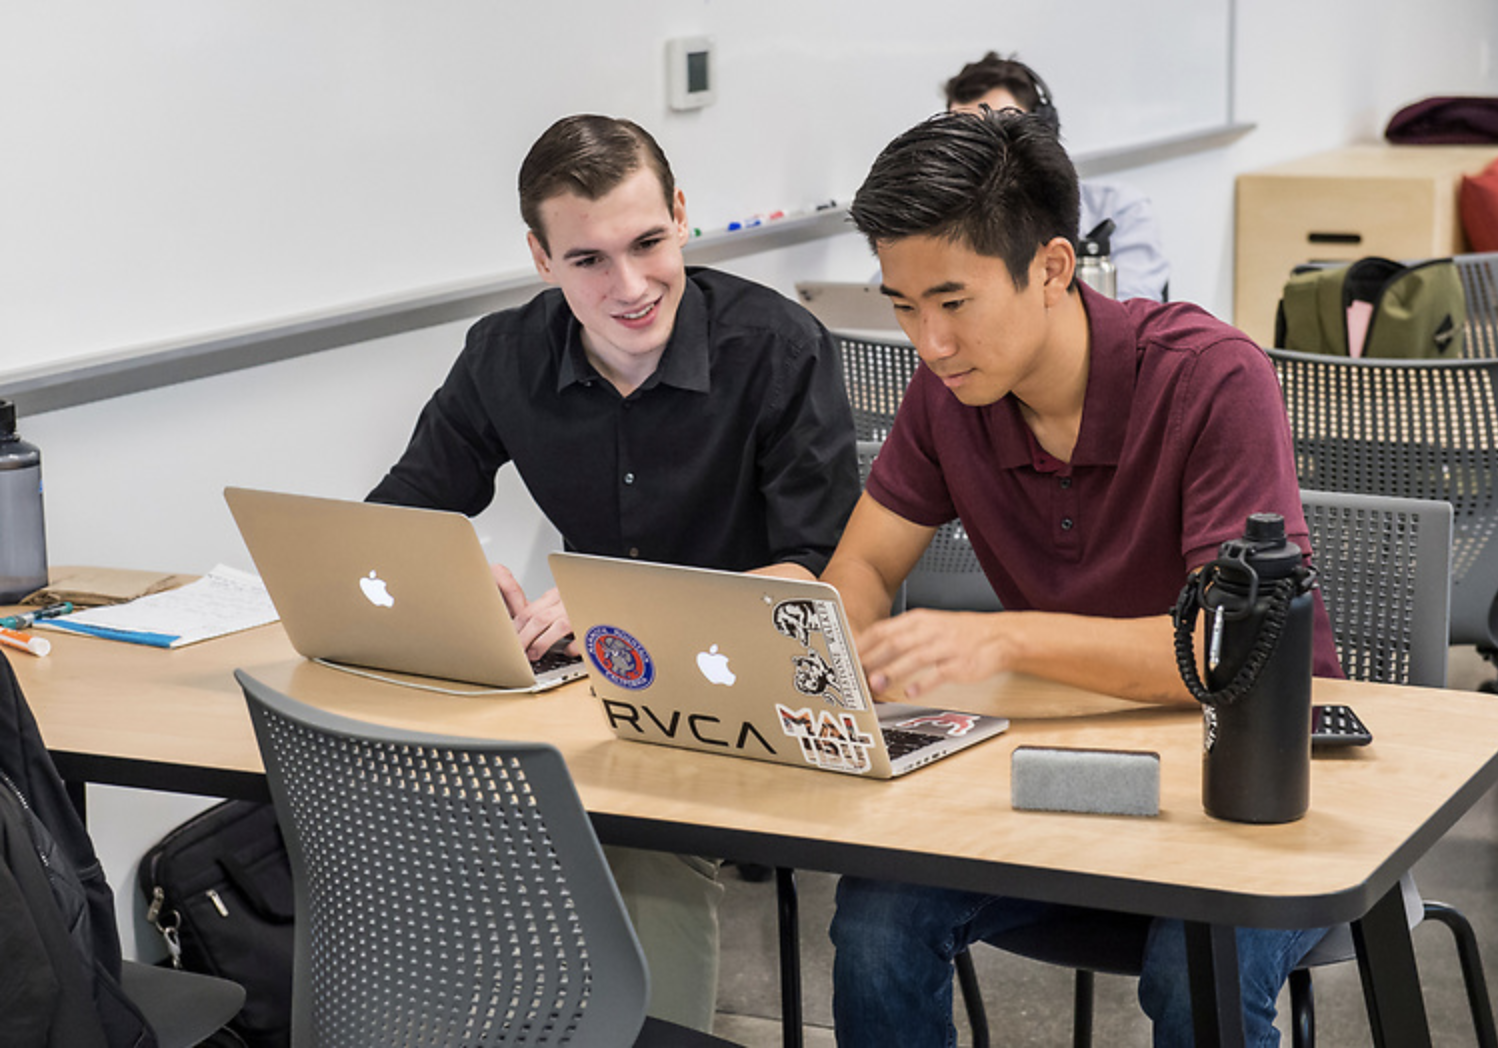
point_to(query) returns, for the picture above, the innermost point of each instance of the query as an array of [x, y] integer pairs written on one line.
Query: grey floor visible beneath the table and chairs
[[1030, 1004]]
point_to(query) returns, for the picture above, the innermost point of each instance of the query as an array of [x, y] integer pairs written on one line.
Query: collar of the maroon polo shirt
[[1108, 400]]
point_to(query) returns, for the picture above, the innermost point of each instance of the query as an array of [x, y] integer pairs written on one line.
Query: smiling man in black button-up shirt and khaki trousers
[[655, 412]]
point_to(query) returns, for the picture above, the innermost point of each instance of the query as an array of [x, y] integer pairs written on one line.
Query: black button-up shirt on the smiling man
[[736, 454]]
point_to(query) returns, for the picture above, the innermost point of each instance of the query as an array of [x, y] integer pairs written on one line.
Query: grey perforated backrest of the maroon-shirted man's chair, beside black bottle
[[1383, 565]]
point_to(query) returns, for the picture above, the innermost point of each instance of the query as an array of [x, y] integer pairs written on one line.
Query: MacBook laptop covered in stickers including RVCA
[[744, 665]]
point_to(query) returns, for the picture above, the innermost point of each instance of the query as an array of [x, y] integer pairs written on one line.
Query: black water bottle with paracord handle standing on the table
[[1259, 597]]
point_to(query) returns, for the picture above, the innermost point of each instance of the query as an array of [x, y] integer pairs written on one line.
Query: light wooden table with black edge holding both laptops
[[175, 721]]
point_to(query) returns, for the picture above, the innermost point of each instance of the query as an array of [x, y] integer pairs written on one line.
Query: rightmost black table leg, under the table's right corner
[[1391, 980]]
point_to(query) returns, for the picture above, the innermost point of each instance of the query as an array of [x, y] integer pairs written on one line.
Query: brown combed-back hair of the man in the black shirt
[[588, 156]]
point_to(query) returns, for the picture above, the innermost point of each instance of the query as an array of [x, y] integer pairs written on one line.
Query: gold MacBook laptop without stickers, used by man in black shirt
[[387, 588]]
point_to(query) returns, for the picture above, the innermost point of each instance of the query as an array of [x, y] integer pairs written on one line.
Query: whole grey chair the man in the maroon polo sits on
[[1383, 567]]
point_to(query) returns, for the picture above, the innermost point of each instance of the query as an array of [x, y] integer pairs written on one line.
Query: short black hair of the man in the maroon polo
[[1000, 183]]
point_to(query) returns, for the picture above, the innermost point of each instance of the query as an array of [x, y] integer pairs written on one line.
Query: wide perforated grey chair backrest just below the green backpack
[[1416, 430]]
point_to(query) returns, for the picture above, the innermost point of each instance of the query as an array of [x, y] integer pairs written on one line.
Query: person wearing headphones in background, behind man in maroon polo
[[1135, 243]]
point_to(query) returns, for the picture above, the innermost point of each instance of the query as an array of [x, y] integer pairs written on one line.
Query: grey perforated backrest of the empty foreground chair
[[449, 892]]
